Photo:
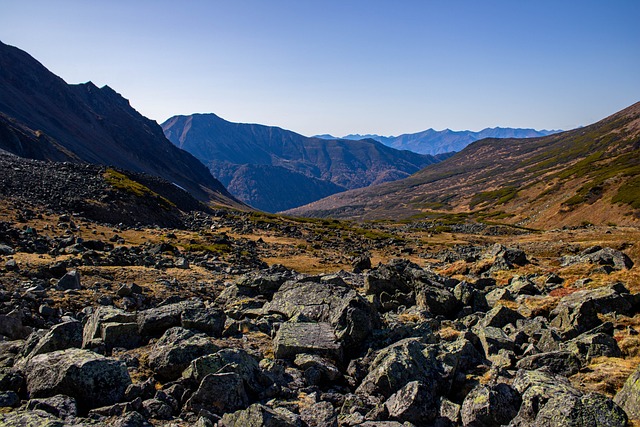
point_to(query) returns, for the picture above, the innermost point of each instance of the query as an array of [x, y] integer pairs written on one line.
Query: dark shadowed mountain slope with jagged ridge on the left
[[42, 117]]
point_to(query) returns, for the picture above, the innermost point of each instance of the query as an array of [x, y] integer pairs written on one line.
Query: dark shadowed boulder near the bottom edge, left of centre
[[219, 394]]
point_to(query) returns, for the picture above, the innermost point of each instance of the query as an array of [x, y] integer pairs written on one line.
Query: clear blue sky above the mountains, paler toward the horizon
[[346, 66]]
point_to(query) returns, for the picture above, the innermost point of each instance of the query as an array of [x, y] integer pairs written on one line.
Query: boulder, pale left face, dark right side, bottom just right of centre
[[415, 402]]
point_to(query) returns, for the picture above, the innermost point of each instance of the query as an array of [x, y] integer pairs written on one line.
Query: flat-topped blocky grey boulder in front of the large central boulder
[[305, 337]]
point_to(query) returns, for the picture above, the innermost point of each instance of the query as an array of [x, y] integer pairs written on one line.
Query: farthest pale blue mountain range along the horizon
[[435, 142]]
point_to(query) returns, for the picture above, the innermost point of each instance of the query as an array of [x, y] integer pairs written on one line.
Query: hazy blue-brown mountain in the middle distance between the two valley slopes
[[274, 169]]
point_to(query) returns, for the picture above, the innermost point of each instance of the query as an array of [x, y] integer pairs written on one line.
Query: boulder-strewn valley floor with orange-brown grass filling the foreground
[[245, 319]]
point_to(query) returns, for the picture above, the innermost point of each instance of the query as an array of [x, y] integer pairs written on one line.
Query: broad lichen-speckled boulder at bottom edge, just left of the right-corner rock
[[549, 399]]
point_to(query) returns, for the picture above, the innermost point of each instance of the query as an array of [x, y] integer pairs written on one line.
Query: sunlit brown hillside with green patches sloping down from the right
[[590, 174]]
